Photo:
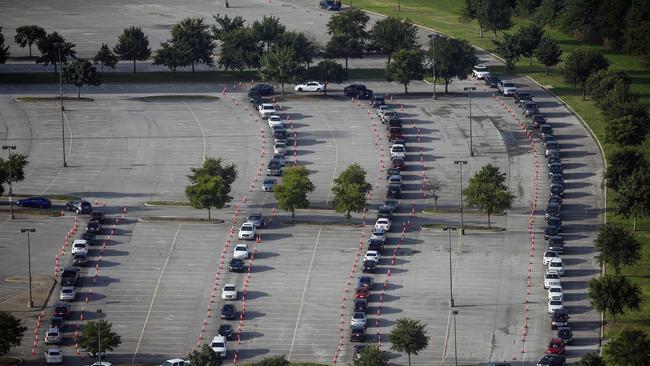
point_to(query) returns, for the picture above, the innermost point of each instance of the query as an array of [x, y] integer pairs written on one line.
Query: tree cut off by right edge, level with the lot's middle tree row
[[633, 196]]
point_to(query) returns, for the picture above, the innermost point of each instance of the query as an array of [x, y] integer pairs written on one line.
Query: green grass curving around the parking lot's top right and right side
[[443, 16]]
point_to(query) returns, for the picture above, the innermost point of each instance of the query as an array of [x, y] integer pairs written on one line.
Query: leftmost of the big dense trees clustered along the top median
[[193, 35]]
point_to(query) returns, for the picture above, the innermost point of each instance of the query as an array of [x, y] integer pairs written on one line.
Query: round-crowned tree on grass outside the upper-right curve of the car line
[[581, 63]]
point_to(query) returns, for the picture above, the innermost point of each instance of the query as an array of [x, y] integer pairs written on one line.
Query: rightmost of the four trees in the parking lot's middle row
[[488, 192]]
